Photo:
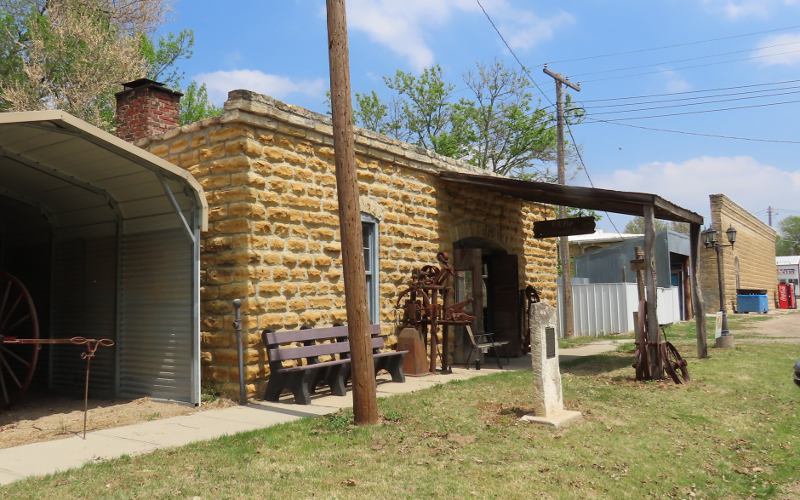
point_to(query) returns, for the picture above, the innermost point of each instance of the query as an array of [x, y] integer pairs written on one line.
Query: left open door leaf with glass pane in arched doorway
[[468, 284]]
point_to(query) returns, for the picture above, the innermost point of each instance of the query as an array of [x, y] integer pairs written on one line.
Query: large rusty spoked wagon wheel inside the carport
[[18, 320]]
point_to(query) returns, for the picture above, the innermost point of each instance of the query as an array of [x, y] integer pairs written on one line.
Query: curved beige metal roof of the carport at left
[[80, 176]]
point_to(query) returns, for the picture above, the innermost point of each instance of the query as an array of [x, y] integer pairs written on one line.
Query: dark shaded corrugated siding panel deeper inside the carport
[[83, 305]]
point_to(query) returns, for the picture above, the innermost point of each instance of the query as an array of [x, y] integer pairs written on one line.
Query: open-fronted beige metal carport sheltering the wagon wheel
[[121, 233]]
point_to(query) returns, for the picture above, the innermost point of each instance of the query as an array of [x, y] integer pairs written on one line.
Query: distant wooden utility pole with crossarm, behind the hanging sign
[[563, 245]]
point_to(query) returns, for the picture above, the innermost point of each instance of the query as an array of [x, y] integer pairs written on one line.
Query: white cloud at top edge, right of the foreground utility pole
[[404, 27]]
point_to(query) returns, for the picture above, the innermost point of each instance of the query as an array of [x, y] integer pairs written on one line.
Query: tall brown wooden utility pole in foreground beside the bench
[[365, 406]]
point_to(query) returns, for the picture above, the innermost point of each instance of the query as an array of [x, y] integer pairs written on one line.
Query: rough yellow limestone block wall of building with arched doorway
[[273, 240]]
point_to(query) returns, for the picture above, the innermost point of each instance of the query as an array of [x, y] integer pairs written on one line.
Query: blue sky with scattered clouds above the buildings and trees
[[279, 48]]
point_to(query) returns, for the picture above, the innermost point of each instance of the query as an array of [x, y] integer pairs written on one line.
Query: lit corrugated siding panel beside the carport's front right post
[[156, 331]]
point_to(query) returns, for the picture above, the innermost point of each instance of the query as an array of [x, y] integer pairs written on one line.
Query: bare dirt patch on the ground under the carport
[[44, 419]]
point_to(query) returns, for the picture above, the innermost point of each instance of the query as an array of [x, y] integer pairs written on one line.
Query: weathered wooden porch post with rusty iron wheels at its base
[[653, 333]]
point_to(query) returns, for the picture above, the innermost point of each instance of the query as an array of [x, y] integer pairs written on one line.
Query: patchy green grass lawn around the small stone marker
[[733, 432]]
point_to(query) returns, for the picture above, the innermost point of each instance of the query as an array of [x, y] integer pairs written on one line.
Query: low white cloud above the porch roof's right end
[[745, 180]]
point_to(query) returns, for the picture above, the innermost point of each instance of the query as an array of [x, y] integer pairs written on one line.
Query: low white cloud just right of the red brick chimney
[[219, 83]]
